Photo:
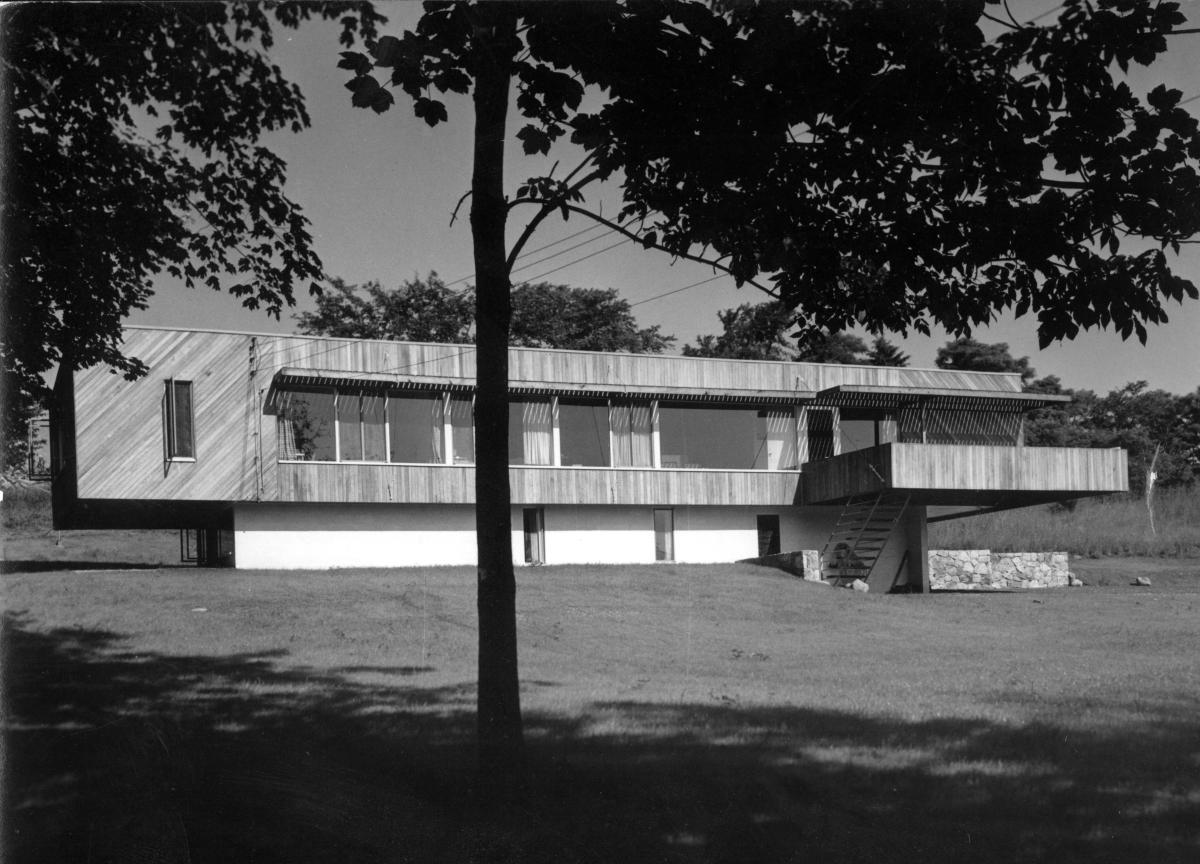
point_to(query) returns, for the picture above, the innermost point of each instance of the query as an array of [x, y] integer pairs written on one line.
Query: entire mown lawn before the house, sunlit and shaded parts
[[674, 715]]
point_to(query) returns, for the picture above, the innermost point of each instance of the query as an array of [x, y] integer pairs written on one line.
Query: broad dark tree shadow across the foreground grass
[[117, 757]]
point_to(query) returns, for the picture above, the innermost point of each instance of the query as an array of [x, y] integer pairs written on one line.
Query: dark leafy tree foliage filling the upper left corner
[[130, 149]]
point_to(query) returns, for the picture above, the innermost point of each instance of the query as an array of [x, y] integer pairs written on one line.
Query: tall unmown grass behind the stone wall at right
[[1117, 526]]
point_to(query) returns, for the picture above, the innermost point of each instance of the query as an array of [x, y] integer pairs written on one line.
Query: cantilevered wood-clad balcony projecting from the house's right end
[[975, 476]]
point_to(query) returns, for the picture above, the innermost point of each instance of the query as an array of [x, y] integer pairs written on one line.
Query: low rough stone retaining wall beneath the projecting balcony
[[986, 571]]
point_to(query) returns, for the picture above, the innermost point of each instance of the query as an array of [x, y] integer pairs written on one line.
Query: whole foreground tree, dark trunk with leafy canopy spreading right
[[879, 163]]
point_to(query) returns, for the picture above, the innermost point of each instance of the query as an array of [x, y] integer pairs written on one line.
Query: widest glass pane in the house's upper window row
[[709, 437]]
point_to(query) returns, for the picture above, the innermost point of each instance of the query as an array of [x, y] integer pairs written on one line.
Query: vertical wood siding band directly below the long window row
[[302, 482]]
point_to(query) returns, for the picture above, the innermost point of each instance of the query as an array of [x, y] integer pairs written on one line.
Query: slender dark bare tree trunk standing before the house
[[501, 743]]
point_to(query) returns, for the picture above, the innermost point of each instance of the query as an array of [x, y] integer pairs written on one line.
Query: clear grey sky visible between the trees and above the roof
[[380, 191]]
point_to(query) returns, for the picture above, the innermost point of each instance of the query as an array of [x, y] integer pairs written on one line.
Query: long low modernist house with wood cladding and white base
[[298, 452]]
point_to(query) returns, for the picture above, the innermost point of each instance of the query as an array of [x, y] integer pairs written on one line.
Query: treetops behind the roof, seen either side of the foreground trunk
[[544, 316]]
